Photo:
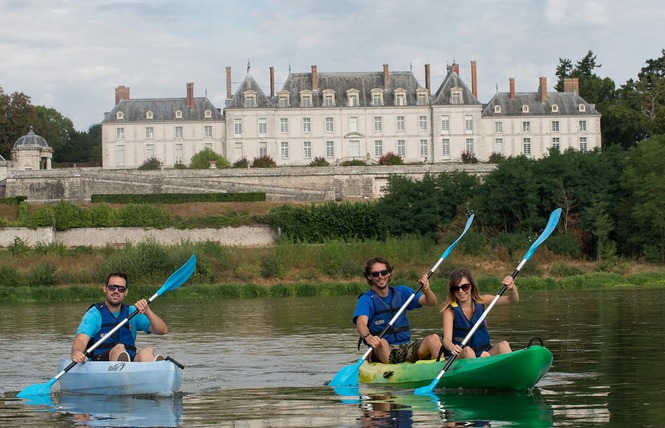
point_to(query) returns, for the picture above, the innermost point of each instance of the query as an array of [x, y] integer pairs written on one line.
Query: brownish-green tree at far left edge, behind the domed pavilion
[[16, 116]]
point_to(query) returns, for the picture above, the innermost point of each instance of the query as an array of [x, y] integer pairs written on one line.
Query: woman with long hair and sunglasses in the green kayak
[[463, 307]]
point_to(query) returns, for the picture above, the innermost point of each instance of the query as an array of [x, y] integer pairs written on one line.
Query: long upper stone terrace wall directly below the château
[[279, 184]]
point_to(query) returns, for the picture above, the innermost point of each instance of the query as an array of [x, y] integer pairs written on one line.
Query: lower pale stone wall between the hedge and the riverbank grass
[[244, 236]]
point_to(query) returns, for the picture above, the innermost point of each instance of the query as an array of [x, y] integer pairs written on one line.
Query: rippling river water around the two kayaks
[[263, 363]]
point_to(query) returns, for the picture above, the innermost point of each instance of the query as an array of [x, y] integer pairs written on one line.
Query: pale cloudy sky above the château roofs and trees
[[70, 55]]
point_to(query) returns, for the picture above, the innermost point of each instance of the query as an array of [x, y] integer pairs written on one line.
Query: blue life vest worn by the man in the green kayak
[[399, 332]]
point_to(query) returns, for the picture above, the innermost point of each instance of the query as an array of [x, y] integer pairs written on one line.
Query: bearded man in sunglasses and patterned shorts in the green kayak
[[377, 306]]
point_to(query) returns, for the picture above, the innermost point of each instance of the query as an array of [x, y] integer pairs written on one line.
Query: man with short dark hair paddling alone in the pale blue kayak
[[102, 317]]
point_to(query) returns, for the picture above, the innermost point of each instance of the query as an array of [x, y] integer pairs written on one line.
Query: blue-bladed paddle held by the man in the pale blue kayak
[[176, 279]]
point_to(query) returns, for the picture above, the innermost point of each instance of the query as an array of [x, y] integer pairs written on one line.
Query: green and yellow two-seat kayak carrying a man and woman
[[518, 370]]
